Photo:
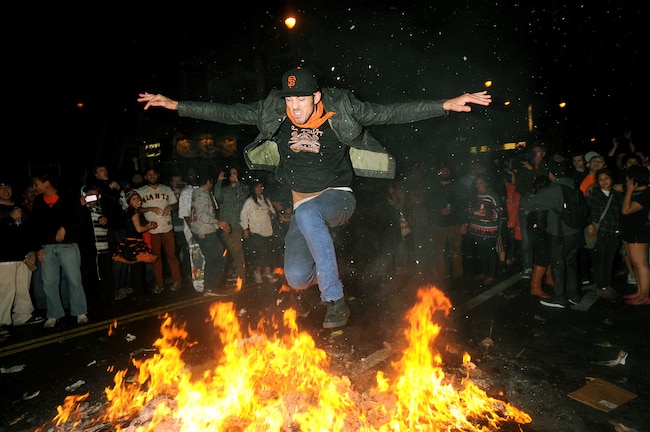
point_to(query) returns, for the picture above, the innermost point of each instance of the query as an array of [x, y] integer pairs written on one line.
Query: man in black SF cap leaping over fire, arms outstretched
[[315, 140]]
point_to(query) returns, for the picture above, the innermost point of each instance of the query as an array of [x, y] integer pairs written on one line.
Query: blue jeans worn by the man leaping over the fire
[[309, 256]]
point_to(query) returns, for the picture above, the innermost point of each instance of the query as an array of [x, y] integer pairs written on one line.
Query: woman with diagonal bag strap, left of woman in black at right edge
[[605, 210]]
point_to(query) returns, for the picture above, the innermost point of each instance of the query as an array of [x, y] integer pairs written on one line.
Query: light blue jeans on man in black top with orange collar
[[67, 259]]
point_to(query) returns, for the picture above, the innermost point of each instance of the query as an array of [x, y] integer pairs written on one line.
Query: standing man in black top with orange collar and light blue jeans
[[56, 216]]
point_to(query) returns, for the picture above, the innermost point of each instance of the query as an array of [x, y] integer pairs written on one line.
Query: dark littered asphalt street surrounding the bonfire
[[528, 355]]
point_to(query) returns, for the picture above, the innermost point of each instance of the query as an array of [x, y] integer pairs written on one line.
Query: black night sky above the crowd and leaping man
[[535, 52]]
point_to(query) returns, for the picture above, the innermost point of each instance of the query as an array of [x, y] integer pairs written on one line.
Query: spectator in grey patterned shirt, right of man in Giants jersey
[[205, 225]]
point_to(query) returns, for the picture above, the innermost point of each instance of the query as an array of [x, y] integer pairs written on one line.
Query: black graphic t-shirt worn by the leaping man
[[312, 159]]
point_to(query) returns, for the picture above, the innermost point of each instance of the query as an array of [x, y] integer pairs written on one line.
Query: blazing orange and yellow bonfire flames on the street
[[263, 383]]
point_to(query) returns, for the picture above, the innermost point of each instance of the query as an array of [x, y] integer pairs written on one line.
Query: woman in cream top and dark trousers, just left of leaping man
[[256, 219]]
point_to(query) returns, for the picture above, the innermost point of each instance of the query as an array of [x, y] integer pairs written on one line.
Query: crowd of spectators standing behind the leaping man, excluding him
[[70, 249]]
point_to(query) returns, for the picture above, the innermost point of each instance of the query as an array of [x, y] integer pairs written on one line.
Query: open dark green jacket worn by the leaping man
[[368, 156]]
